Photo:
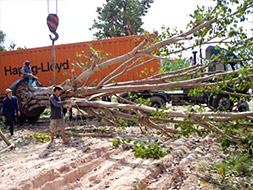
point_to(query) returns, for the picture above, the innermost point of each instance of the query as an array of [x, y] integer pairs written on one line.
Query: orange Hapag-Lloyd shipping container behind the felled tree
[[11, 62]]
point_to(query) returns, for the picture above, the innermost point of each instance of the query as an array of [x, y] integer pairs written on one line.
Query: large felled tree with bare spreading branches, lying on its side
[[219, 25]]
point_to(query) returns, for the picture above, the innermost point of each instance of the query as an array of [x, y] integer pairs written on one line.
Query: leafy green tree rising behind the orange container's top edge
[[120, 18]]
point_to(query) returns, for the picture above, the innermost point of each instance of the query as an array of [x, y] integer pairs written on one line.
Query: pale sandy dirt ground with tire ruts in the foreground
[[93, 163]]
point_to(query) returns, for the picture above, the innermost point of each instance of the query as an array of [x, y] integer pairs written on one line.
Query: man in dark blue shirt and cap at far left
[[10, 109]]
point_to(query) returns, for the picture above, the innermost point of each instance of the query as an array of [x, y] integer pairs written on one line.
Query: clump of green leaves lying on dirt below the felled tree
[[144, 150]]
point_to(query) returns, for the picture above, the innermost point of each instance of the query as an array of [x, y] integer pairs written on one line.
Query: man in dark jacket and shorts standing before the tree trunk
[[56, 115]]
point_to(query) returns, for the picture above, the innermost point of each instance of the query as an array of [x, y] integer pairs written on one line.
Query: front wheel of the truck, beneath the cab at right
[[222, 102]]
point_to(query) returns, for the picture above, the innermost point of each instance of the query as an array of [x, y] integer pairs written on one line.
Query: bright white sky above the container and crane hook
[[24, 21]]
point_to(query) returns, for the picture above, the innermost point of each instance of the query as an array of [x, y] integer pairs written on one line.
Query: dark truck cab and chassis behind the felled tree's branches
[[181, 97]]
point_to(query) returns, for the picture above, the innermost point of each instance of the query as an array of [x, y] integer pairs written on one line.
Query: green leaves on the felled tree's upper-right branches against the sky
[[228, 26]]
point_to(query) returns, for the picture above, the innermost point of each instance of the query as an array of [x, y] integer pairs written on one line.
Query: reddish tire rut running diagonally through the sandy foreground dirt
[[71, 170]]
